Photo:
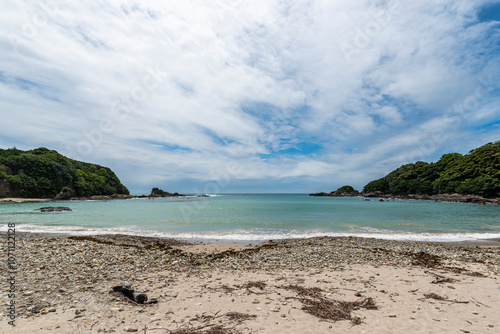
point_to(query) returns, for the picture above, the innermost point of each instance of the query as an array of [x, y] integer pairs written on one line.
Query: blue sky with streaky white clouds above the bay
[[240, 96]]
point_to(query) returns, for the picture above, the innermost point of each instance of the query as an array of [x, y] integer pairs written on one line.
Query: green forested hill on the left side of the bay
[[43, 173]]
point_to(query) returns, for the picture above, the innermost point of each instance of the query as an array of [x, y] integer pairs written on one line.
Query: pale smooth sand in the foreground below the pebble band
[[471, 307]]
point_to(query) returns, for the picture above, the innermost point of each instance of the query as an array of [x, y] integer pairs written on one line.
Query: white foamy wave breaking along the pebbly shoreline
[[249, 235]]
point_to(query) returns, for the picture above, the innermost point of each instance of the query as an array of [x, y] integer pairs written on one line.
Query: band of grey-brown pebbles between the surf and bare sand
[[97, 262]]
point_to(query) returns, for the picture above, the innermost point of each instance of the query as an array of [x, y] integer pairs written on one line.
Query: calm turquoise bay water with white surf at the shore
[[262, 217]]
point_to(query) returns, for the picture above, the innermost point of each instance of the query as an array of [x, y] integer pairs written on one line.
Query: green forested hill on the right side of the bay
[[476, 173]]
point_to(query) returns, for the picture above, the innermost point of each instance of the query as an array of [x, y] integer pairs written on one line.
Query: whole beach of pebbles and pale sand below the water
[[320, 285]]
